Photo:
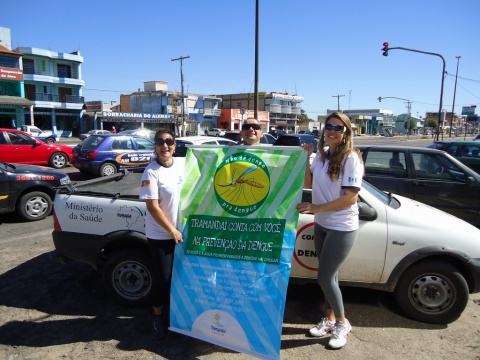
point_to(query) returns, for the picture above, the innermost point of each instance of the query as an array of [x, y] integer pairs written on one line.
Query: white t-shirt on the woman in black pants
[[164, 184]]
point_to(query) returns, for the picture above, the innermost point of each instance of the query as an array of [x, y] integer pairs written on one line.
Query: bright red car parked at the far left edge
[[19, 147]]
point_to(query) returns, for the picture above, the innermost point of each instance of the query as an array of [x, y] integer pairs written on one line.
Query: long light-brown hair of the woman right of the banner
[[342, 151]]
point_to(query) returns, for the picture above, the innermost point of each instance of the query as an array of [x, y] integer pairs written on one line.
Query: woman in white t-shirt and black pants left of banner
[[160, 187]]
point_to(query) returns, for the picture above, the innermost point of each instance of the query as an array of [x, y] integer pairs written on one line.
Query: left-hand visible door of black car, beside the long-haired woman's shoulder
[[389, 171]]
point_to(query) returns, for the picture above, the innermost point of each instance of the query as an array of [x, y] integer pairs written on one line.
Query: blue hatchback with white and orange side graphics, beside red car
[[103, 155]]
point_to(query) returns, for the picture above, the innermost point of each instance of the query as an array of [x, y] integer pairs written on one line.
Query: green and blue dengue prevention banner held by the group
[[239, 222]]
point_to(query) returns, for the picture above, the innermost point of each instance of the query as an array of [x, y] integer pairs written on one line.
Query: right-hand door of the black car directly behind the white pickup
[[442, 184]]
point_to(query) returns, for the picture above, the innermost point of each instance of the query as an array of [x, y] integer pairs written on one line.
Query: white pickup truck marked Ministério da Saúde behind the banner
[[428, 259]]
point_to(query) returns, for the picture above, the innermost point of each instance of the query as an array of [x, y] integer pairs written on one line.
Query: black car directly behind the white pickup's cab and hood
[[430, 176]]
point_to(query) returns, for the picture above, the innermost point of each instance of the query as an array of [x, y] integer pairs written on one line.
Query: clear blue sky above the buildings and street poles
[[317, 49]]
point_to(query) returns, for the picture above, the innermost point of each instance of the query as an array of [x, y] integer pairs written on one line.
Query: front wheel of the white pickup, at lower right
[[433, 292]]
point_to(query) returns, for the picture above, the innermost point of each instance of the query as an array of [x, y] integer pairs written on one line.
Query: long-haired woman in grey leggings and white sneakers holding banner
[[335, 177]]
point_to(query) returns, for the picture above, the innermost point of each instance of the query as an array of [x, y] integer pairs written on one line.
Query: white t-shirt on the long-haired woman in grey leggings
[[325, 190]]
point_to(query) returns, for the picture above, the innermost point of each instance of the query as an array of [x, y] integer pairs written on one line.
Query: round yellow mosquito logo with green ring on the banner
[[242, 183]]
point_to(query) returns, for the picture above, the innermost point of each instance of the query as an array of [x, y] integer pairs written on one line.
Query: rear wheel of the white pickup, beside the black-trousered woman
[[127, 277]]
